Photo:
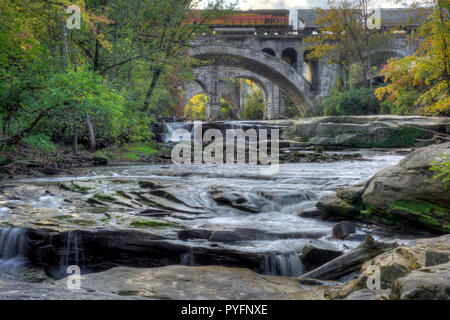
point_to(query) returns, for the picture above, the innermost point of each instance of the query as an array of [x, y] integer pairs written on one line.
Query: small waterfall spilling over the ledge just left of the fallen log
[[286, 265]]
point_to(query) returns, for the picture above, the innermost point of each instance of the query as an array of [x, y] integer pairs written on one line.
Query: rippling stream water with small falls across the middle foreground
[[269, 204]]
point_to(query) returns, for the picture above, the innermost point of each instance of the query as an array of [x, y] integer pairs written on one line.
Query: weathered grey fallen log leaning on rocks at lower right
[[351, 261]]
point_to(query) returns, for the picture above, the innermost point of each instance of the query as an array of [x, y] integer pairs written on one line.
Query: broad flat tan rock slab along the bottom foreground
[[197, 283]]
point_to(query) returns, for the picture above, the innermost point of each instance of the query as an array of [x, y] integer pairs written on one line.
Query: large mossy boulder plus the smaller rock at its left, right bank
[[403, 194]]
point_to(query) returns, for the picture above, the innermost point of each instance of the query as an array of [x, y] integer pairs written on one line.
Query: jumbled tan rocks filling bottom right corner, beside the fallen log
[[420, 271]]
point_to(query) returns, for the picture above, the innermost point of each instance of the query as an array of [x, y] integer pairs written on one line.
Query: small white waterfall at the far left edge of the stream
[[13, 251]]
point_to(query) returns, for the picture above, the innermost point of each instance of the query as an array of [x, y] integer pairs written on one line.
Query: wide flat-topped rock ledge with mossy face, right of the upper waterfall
[[368, 131]]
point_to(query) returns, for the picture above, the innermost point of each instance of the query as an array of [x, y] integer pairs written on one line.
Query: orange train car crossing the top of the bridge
[[252, 21]]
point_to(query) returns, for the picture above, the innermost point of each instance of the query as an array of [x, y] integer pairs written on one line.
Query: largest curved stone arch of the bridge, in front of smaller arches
[[261, 64]]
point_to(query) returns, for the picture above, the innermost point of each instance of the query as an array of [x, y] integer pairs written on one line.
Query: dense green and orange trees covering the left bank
[[103, 83]]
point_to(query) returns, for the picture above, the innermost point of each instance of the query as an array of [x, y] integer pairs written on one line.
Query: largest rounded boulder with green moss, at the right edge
[[408, 192]]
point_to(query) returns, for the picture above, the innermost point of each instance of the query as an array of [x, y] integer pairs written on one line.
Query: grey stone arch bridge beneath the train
[[276, 63]]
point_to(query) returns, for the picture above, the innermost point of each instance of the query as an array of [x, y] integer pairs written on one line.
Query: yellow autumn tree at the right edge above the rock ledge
[[424, 75]]
